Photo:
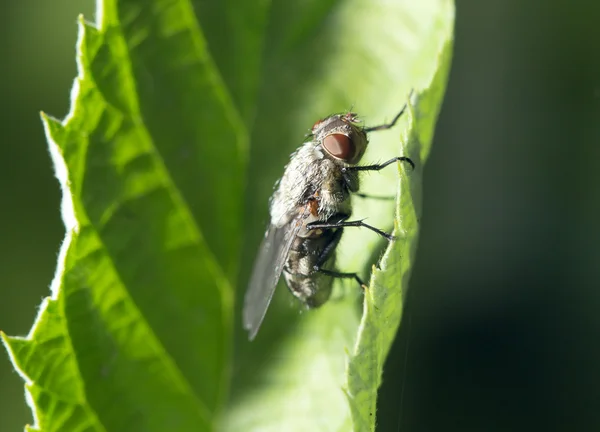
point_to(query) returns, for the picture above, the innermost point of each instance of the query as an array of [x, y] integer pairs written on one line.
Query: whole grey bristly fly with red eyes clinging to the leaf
[[309, 210]]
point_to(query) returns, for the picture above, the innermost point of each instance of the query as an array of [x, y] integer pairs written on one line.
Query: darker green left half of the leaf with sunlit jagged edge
[[140, 318]]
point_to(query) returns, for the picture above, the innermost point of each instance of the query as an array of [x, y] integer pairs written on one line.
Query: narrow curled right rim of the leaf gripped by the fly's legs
[[383, 300]]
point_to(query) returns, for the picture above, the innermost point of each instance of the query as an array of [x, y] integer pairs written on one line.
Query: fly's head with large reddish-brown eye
[[341, 137]]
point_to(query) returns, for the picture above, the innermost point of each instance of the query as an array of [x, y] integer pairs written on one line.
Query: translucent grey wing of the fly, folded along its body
[[268, 266]]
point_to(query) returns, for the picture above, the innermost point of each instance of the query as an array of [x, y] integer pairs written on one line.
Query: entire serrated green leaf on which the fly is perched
[[177, 131]]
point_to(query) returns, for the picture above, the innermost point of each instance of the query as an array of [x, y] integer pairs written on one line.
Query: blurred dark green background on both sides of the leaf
[[503, 311]]
